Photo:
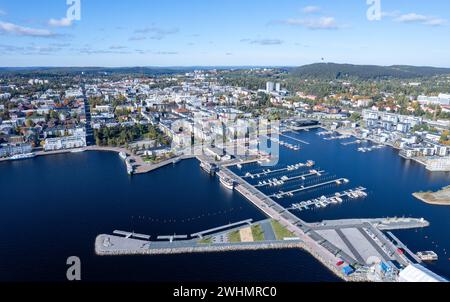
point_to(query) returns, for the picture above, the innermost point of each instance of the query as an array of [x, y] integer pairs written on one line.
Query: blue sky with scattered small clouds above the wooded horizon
[[223, 32]]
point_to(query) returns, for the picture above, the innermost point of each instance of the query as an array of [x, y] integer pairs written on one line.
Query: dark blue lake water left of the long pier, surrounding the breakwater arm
[[54, 207]]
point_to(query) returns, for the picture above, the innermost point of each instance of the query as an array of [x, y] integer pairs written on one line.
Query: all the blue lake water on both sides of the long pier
[[54, 207]]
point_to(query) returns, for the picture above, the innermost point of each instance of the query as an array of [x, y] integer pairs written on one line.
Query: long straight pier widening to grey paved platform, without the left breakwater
[[354, 241]]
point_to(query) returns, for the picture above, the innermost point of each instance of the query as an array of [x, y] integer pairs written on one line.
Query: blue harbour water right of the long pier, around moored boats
[[390, 180]]
